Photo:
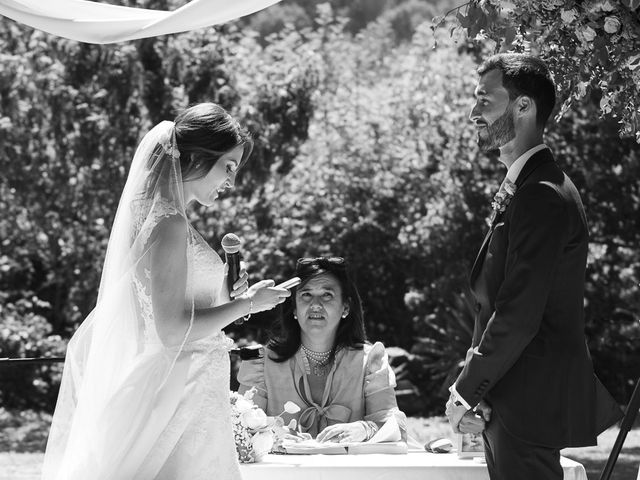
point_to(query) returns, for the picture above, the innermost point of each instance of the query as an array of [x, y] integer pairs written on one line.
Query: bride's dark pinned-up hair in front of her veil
[[205, 132]]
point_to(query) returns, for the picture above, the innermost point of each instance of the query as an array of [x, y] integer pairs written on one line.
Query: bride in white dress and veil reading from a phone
[[145, 388]]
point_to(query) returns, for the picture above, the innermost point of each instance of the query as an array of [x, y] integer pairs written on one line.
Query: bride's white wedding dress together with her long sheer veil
[[131, 407]]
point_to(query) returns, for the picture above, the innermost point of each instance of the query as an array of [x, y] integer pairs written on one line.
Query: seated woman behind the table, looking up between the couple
[[321, 361]]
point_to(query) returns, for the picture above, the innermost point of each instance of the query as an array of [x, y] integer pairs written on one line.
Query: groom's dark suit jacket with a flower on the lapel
[[529, 357]]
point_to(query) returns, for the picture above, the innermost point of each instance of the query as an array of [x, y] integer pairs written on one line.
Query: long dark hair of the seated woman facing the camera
[[351, 331]]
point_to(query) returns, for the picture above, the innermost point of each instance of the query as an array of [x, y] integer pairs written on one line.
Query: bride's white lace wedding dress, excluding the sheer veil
[[197, 442]]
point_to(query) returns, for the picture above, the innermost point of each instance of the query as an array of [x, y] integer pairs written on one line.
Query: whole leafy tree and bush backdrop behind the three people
[[363, 149]]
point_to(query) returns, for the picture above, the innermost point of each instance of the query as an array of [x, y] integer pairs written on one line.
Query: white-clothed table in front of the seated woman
[[413, 466]]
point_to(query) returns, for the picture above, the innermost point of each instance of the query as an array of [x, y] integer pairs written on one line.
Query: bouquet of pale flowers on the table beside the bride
[[254, 432]]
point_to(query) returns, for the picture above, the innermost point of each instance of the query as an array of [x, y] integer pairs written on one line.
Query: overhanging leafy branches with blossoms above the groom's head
[[592, 47]]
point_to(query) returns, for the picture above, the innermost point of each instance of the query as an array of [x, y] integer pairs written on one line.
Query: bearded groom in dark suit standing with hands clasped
[[528, 373]]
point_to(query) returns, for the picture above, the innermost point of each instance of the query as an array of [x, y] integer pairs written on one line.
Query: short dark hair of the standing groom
[[524, 74]]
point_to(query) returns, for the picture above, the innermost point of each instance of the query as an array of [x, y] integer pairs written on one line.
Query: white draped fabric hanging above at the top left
[[93, 22]]
